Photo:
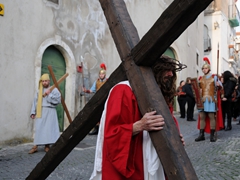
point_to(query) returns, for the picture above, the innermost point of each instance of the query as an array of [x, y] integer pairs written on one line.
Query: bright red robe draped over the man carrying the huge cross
[[122, 156]]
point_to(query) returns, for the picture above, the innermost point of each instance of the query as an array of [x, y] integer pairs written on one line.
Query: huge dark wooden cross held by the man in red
[[137, 56]]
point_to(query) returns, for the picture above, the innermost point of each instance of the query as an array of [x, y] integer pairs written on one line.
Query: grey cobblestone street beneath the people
[[211, 160]]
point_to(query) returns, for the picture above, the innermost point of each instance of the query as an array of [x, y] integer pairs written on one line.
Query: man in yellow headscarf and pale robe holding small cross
[[44, 109]]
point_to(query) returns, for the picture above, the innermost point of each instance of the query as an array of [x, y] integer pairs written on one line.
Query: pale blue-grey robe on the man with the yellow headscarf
[[46, 127]]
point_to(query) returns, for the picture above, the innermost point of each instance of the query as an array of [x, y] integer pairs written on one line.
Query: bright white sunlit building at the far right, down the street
[[220, 37]]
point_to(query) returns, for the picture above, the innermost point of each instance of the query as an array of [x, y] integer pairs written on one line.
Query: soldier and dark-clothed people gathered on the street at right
[[220, 99]]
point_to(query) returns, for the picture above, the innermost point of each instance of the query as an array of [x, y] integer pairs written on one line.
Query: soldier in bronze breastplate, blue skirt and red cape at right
[[210, 117]]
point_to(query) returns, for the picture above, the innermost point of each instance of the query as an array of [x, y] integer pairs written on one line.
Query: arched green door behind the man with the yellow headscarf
[[53, 57]]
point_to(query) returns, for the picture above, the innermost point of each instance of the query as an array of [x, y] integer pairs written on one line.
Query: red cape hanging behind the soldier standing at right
[[219, 120]]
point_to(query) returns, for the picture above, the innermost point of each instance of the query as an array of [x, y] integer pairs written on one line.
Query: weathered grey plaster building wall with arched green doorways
[[71, 35]]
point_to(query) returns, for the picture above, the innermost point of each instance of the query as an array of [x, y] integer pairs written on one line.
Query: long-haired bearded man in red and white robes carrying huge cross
[[124, 148]]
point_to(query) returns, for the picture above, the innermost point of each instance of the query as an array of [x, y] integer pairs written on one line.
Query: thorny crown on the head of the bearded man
[[171, 64]]
